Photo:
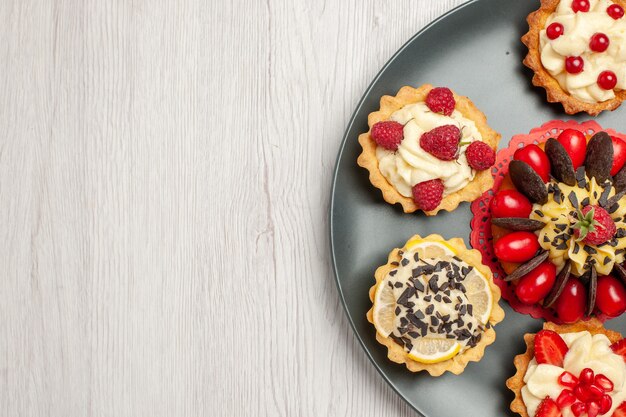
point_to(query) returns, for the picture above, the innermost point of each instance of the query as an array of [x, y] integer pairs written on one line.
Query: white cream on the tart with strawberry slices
[[585, 351]]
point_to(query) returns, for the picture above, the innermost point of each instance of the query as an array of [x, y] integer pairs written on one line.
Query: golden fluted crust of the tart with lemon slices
[[456, 364]]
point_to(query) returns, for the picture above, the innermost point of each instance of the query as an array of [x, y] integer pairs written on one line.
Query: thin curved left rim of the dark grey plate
[[342, 146]]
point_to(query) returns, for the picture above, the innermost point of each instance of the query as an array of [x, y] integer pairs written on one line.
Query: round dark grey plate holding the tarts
[[475, 50]]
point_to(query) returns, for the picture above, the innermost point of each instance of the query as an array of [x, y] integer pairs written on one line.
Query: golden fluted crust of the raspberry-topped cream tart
[[408, 95]]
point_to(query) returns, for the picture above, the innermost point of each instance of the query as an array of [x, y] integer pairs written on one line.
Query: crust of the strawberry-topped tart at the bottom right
[[516, 382]]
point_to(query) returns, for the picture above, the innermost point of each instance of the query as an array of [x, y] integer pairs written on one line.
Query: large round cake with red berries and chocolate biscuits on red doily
[[556, 230]]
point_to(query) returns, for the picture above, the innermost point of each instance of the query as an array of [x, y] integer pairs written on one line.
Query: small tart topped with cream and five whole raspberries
[[428, 149]]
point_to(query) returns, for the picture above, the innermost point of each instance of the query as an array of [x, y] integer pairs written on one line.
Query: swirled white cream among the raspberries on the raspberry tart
[[411, 164]]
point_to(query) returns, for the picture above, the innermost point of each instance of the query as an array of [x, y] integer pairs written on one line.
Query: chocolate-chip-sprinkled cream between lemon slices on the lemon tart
[[432, 301]]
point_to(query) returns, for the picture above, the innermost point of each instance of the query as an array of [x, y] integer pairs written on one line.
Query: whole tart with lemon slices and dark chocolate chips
[[434, 305]]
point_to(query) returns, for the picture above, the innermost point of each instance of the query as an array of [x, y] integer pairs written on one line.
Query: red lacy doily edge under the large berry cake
[[480, 236]]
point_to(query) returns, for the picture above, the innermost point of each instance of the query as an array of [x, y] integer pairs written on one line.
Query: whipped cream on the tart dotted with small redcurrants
[[578, 29]]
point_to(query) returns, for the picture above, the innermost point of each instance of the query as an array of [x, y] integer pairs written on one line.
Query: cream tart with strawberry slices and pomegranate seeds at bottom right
[[571, 370]]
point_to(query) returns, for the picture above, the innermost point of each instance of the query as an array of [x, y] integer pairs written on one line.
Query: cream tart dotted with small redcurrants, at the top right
[[576, 49]]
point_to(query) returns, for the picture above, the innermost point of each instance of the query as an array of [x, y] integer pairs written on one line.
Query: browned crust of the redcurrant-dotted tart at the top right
[[542, 78]]
